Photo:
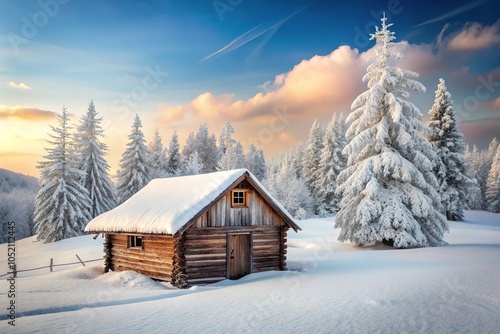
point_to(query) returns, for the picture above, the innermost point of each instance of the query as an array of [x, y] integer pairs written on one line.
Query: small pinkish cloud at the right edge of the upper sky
[[474, 36]]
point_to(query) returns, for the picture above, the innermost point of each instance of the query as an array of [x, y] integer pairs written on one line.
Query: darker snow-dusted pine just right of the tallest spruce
[[447, 140]]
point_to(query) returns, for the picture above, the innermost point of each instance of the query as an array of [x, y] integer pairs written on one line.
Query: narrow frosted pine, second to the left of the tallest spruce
[[311, 159]]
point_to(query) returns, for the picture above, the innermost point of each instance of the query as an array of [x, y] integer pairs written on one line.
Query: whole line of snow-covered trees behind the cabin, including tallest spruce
[[385, 174]]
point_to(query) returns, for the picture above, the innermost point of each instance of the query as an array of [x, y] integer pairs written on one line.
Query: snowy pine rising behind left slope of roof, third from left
[[135, 171]]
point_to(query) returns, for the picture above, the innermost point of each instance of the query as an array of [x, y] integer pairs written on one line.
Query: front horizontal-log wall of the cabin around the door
[[205, 251]]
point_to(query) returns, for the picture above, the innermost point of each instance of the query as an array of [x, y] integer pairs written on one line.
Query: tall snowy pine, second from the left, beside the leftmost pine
[[91, 152]]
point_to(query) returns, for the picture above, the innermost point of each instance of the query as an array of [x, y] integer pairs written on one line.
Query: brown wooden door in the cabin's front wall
[[238, 255]]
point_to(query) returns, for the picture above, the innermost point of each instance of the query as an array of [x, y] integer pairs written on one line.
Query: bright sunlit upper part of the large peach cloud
[[313, 88]]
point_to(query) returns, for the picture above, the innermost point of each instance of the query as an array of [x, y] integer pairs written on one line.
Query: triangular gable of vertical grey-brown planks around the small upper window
[[258, 212]]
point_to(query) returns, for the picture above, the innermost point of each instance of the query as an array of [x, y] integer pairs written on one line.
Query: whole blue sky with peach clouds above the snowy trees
[[236, 60]]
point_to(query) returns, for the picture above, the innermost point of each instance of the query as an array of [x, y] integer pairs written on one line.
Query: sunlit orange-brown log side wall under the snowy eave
[[154, 260]]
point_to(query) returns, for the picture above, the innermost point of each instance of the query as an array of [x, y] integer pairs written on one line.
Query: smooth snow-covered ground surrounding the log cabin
[[330, 288]]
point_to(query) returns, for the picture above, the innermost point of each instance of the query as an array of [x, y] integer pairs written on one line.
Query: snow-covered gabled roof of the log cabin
[[169, 205]]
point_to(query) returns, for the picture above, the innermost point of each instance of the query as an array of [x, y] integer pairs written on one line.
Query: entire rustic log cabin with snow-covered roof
[[197, 229]]
